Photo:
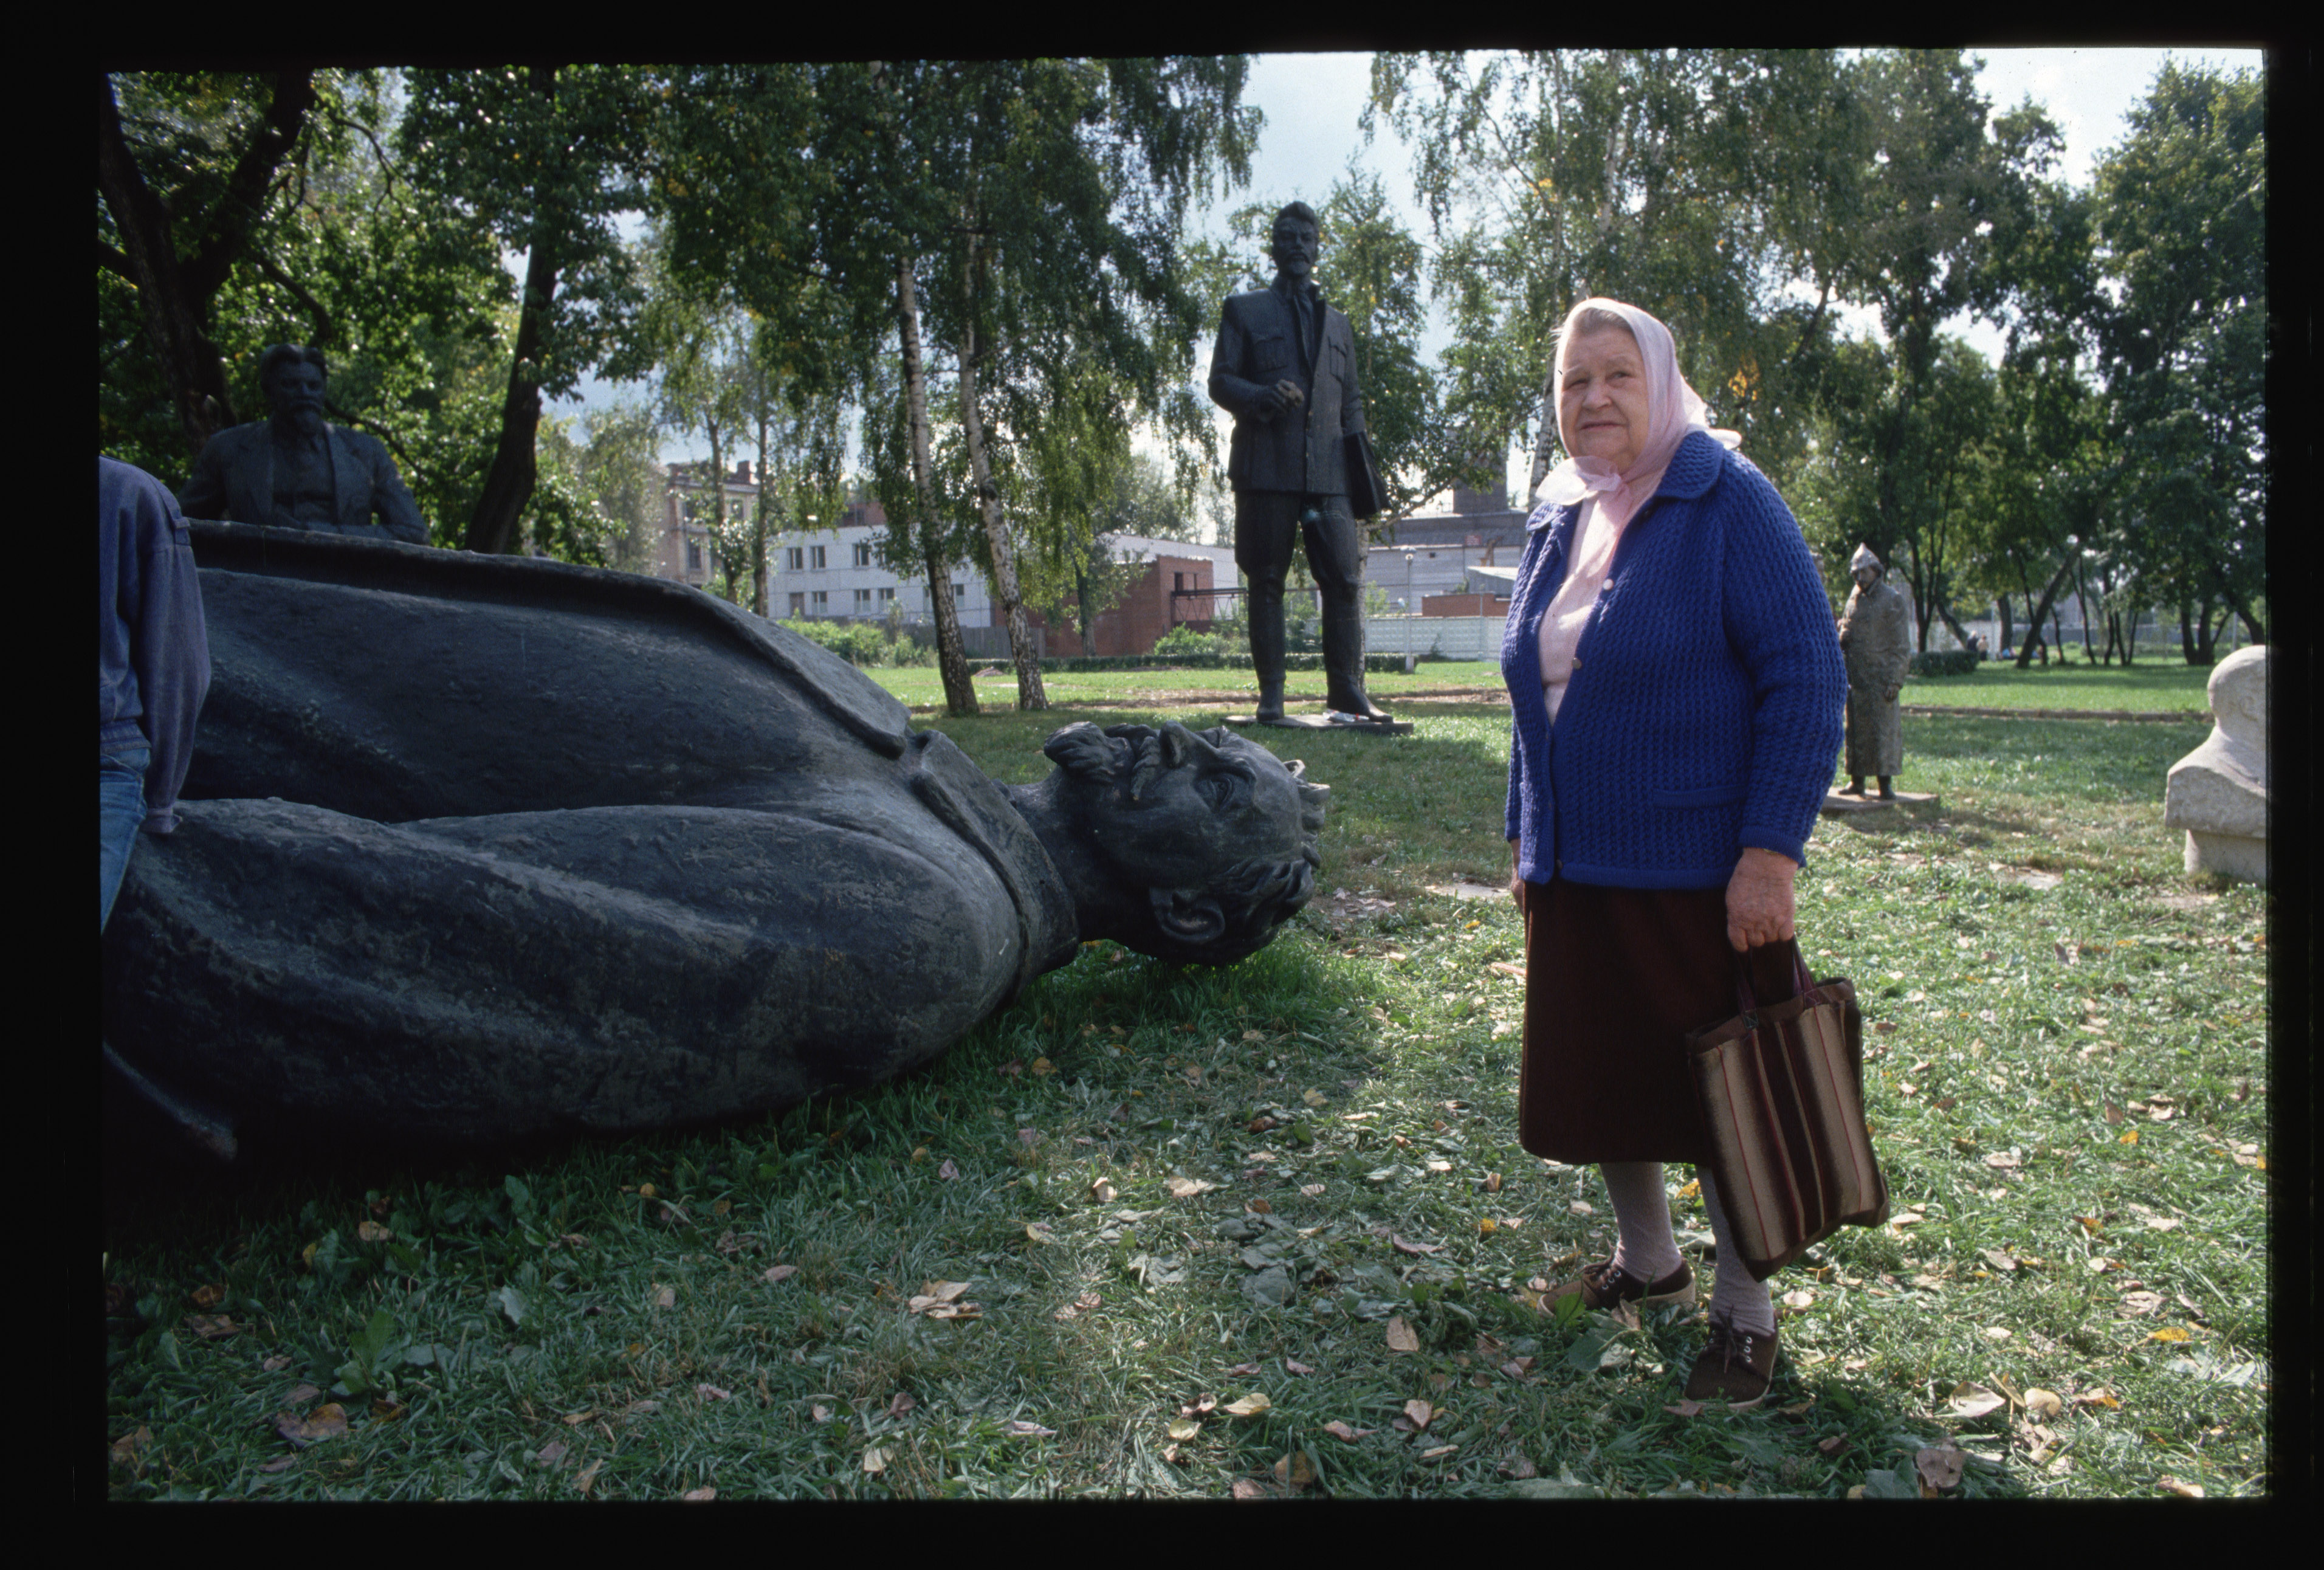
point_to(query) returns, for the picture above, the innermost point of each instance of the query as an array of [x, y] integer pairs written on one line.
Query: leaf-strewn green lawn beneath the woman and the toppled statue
[[2032, 964]]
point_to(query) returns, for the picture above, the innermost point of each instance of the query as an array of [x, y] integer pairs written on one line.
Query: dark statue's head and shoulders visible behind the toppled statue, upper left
[[296, 471]]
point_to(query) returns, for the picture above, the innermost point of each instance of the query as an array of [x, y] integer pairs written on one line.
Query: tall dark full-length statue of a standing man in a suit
[[1286, 369]]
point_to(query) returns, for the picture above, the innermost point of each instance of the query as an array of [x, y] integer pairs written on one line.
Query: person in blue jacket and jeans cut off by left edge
[[152, 666]]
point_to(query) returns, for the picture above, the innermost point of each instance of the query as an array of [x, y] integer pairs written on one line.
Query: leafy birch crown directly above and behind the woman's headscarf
[[1705, 187]]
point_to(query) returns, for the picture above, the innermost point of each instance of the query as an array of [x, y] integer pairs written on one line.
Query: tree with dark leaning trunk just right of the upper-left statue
[[540, 157]]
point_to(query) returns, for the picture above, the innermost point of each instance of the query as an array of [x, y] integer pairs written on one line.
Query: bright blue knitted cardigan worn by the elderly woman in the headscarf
[[1709, 697]]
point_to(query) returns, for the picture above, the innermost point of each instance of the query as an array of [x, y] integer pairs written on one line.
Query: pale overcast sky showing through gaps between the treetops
[[1312, 106]]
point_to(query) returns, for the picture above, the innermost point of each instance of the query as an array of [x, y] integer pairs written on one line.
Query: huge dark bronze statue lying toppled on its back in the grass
[[480, 848]]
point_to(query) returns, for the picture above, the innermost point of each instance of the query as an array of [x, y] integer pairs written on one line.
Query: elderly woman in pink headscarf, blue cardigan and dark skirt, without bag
[[1677, 699]]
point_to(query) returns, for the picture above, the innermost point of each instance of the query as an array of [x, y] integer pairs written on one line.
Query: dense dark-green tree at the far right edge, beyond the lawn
[[2181, 217]]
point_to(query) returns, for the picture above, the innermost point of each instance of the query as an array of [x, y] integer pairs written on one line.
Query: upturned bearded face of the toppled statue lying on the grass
[[1221, 804]]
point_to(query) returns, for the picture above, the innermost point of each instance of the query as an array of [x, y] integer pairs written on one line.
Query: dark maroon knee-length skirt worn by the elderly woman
[[1614, 983]]
